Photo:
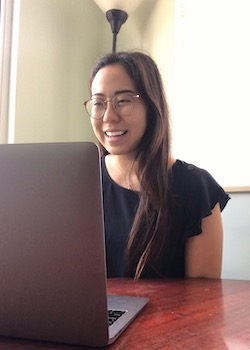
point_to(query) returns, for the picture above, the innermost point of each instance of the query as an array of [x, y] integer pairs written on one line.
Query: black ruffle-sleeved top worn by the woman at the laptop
[[194, 194]]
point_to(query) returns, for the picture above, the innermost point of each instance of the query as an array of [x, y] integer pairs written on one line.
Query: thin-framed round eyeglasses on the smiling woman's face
[[123, 104]]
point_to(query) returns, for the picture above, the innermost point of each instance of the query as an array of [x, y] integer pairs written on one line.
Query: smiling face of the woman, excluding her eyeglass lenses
[[120, 135]]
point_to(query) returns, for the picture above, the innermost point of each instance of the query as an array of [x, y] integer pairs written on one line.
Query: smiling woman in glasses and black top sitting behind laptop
[[162, 215]]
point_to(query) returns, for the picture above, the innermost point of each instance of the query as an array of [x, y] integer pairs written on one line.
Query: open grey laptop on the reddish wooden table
[[52, 247]]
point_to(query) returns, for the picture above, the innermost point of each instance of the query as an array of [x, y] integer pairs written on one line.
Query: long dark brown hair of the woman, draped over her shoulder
[[149, 232]]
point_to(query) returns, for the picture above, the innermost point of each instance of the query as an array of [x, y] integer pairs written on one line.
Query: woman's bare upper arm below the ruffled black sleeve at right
[[204, 251]]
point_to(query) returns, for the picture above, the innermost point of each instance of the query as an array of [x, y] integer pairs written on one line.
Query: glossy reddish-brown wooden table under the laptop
[[182, 314]]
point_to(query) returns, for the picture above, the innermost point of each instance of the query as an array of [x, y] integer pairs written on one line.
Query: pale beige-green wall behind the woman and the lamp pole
[[58, 43]]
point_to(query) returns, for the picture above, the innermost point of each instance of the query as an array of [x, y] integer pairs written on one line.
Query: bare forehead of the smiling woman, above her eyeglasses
[[112, 78]]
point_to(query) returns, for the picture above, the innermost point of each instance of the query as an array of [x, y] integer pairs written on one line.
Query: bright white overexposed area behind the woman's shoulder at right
[[212, 87]]
